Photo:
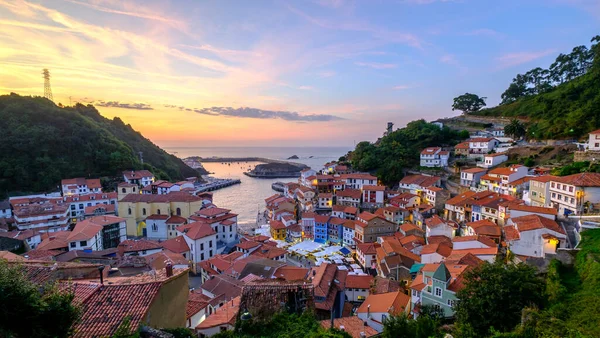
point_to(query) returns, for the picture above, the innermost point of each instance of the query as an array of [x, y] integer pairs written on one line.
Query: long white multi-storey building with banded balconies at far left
[[42, 214]]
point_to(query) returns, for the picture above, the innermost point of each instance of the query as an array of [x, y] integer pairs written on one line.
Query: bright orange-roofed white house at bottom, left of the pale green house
[[377, 308]]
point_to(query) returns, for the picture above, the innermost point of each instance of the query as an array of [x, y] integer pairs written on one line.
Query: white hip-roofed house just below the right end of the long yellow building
[[201, 238]]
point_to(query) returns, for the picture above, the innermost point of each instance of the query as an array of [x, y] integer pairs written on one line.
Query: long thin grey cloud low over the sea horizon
[[255, 113]]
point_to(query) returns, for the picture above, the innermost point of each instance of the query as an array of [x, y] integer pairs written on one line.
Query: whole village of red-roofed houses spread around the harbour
[[363, 250]]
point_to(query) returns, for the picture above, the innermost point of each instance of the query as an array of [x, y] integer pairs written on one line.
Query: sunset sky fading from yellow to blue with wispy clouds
[[282, 72]]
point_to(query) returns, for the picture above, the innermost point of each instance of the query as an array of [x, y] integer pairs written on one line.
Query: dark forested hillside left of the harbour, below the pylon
[[43, 143]]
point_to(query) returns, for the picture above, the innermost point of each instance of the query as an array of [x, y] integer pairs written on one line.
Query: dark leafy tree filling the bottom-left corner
[[29, 310]]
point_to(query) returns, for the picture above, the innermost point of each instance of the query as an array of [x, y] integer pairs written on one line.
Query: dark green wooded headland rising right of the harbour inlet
[[398, 151]]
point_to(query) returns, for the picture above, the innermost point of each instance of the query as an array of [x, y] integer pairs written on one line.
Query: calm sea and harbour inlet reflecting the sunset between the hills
[[248, 198]]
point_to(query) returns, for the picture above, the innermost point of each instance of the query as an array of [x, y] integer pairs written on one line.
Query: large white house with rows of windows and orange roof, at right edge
[[571, 194]]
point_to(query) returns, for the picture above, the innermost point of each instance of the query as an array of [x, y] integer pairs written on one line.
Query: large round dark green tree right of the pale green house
[[495, 294]]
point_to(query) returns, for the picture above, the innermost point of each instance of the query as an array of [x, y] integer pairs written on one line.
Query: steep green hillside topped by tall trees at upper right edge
[[561, 102]]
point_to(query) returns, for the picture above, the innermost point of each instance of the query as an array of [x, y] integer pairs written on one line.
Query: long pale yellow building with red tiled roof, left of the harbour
[[135, 208]]
